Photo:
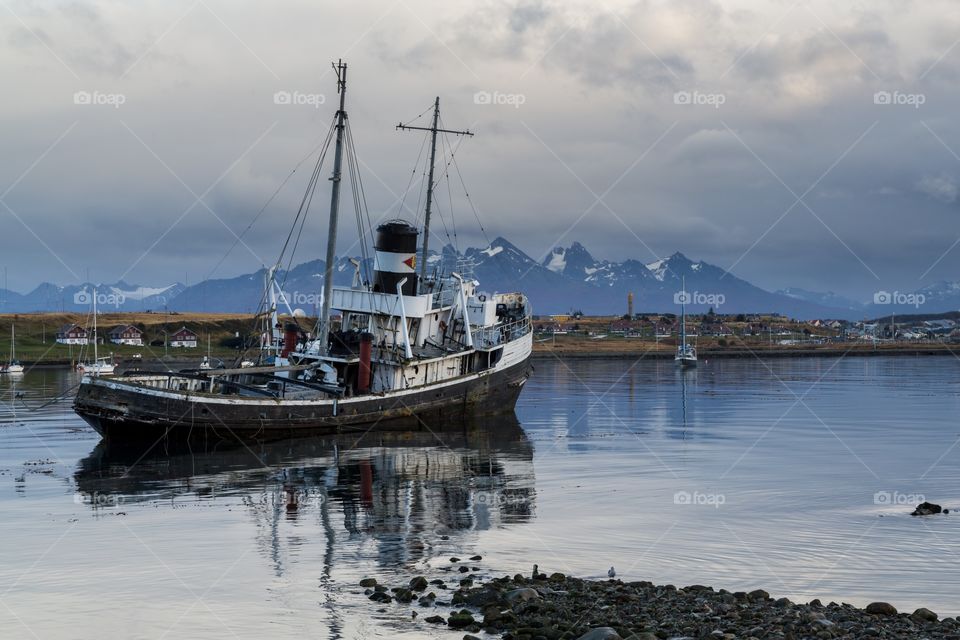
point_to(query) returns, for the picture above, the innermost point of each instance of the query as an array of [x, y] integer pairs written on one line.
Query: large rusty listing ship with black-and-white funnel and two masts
[[409, 349]]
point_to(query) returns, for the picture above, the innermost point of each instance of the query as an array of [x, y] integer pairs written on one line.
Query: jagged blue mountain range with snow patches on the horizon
[[568, 278]]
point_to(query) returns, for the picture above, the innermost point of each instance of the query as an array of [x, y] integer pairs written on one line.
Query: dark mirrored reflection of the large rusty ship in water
[[402, 489]]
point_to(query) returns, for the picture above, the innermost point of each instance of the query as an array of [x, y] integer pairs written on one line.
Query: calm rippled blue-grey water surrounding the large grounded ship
[[789, 475]]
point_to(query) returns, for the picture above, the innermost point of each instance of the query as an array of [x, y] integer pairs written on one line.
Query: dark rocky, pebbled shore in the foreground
[[556, 607]]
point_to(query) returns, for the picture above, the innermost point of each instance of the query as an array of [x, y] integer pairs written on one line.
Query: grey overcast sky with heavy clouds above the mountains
[[810, 144]]
